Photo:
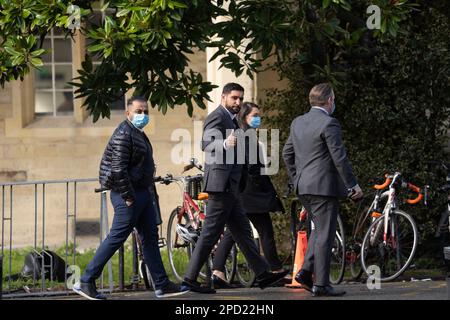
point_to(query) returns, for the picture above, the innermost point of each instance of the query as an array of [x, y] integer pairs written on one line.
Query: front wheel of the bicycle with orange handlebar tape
[[393, 256]]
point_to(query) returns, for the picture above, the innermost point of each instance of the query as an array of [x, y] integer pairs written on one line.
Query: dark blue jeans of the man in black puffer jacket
[[142, 215]]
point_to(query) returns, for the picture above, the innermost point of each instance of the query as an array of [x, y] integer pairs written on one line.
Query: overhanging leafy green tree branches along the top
[[144, 44]]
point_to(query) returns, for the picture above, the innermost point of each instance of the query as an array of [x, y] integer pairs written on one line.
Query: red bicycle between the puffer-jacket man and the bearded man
[[185, 223]]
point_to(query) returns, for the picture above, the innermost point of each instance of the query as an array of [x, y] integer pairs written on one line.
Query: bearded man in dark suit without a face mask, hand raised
[[222, 182]]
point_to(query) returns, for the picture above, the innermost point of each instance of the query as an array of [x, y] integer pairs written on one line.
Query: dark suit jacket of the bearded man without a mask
[[222, 173]]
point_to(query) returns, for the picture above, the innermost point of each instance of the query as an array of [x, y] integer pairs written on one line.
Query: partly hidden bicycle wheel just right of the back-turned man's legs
[[337, 264]]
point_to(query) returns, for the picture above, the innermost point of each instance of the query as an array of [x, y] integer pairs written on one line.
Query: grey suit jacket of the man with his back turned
[[315, 156]]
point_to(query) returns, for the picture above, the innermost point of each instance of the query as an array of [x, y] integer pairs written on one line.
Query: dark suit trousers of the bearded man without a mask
[[225, 208]]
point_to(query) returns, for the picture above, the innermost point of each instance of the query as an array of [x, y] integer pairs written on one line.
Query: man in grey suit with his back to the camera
[[321, 173]]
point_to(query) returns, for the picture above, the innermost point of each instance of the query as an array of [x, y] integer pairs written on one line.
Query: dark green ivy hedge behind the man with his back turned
[[392, 101]]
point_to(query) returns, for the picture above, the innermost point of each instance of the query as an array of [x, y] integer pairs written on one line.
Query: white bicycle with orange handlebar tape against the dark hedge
[[391, 240]]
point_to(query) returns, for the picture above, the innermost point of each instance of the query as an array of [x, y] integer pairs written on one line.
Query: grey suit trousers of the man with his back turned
[[323, 212]]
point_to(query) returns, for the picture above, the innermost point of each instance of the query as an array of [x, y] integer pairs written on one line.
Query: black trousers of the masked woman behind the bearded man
[[262, 224]]
